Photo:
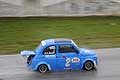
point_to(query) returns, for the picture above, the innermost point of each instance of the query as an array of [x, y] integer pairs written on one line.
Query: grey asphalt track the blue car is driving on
[[12, 67]]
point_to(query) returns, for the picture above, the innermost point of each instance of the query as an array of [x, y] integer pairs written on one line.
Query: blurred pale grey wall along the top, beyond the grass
[[59, 7]]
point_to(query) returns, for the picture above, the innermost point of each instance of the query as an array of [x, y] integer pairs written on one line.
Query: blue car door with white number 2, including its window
[[67, 57]]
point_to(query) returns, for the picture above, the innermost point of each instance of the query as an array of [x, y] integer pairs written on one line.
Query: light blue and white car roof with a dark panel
[[57, 41]]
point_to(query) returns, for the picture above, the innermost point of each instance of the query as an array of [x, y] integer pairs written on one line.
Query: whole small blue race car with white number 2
[[59, 55]]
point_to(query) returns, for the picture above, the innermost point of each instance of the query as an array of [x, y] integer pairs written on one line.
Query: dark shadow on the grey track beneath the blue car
[[64, 75]]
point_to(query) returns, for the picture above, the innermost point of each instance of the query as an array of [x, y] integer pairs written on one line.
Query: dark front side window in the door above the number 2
[[66, 49]]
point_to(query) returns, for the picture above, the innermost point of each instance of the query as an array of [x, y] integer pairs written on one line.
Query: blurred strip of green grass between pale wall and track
[[18, 34]]
